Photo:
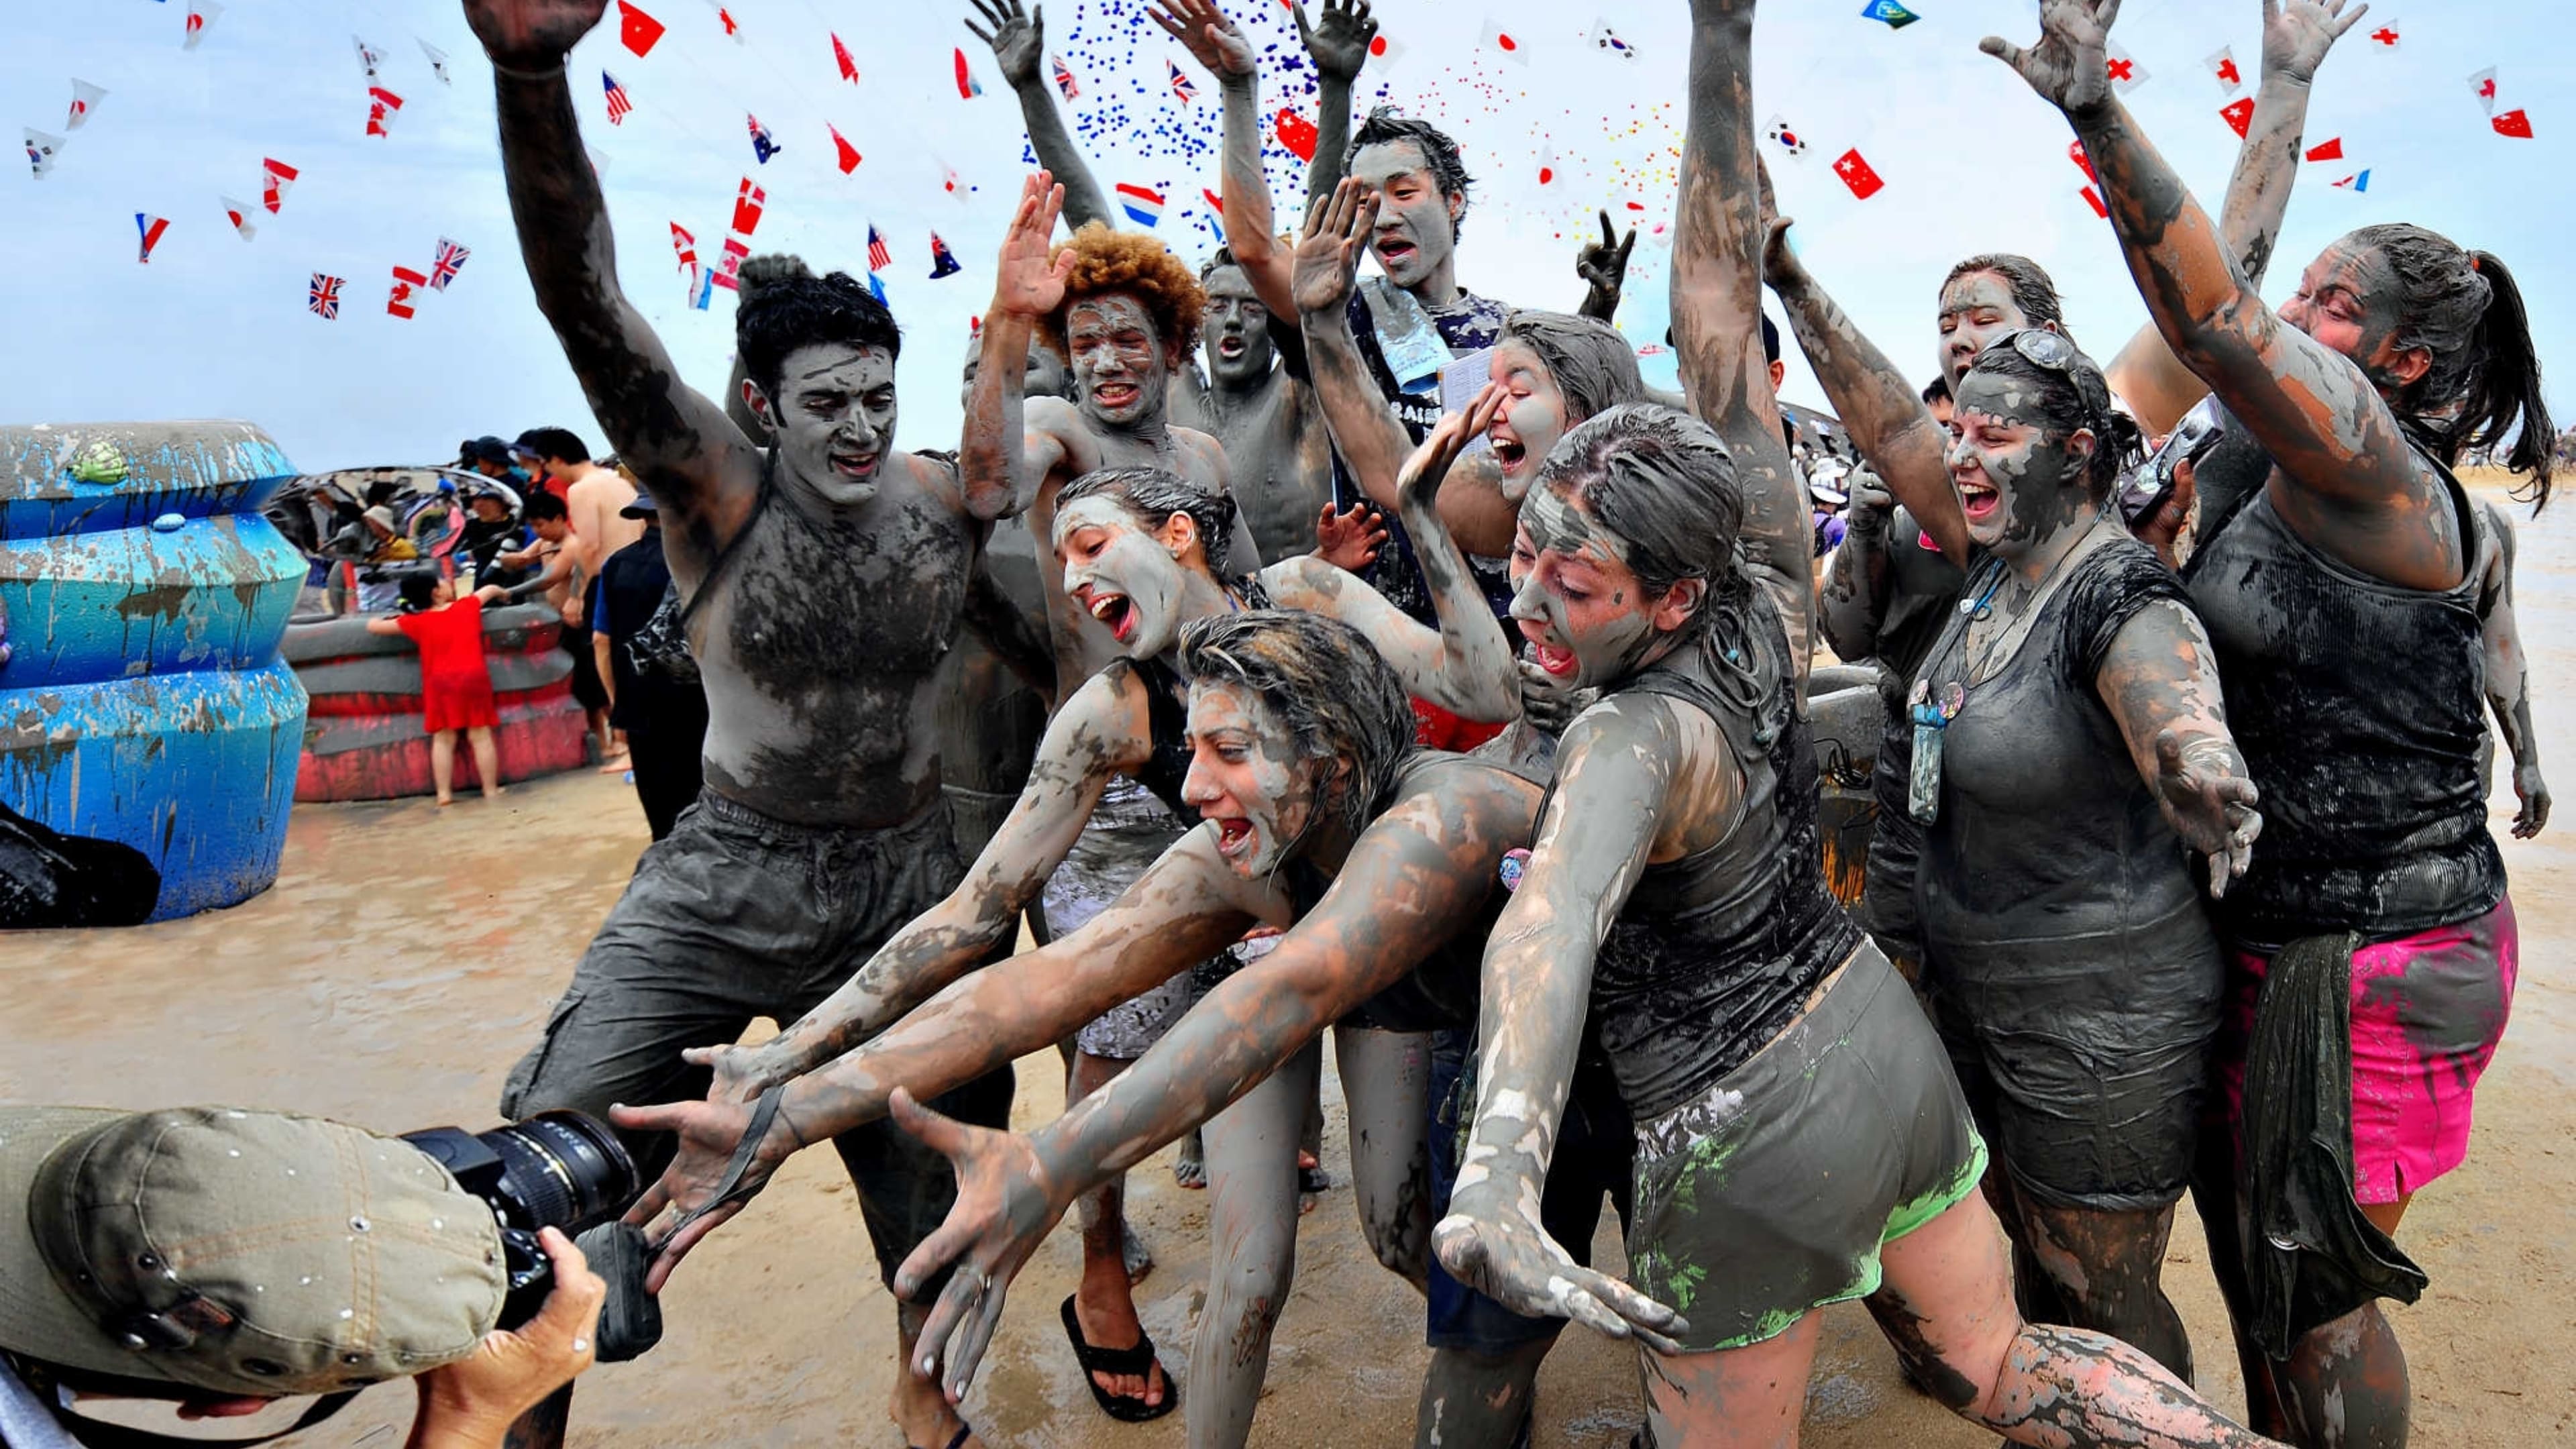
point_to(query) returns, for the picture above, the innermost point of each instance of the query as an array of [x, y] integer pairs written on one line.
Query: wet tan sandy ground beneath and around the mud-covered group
[[408, 958]]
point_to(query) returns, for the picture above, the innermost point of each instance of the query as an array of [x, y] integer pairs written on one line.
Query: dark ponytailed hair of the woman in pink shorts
[[2485, 378]]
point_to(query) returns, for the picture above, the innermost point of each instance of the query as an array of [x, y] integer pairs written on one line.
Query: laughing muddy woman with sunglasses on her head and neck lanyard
[[2070, 749]]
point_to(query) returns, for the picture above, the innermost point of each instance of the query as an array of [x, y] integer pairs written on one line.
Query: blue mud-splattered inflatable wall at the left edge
[[148, 728]]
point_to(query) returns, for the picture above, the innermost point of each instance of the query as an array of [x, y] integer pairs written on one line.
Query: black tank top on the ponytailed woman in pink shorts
[[2358, 708]]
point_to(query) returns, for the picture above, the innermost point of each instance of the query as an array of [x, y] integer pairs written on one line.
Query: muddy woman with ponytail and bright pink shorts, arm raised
[[2340, 599]]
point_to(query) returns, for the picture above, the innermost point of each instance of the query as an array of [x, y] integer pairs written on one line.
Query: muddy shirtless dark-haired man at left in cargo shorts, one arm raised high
[[823, 592]]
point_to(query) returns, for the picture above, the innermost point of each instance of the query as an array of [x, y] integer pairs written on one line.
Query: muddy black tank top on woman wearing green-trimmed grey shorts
[[1717, 953]]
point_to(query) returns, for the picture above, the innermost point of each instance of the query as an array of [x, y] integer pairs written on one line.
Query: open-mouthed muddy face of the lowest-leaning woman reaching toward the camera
[[1248, 780]]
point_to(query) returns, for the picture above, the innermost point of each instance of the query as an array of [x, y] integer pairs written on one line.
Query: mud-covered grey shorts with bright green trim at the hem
[[1771, 1195]]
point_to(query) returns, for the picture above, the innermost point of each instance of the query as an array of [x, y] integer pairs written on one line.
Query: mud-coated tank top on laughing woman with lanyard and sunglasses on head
[[2047, 831]]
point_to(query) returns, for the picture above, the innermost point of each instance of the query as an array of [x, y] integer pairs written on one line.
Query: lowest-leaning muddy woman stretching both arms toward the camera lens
[[1379, 862]]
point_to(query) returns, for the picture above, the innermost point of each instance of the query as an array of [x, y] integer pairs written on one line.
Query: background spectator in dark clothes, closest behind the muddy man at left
[[661, 713]]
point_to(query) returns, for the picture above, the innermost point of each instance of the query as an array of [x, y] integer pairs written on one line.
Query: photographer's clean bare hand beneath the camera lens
[[473, 1401]]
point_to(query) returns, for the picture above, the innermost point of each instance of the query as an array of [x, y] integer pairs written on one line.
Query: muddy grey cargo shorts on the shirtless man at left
[[741, 917]]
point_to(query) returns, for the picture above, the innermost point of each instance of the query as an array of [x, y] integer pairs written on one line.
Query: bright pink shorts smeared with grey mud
[[2428, 1015]]
